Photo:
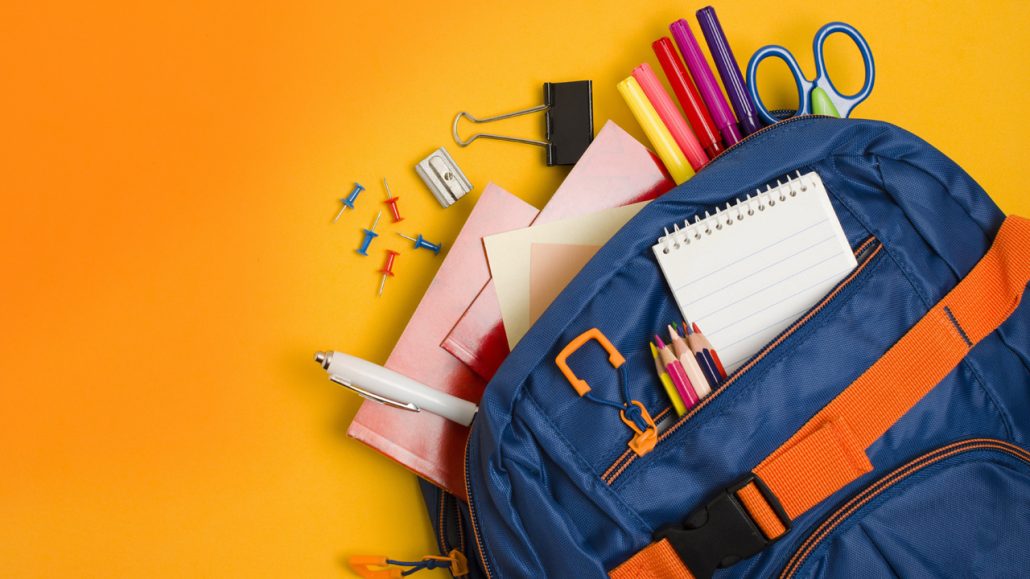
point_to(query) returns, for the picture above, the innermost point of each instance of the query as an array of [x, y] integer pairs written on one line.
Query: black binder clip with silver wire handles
[[569, 120]]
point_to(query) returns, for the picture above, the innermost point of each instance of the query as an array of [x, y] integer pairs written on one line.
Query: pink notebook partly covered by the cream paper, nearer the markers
[[616, 171]]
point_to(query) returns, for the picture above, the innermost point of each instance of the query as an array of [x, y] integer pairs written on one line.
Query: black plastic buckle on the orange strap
[[722, 533]]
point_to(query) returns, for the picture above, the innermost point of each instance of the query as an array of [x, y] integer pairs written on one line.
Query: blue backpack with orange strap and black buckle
[[884, 434]]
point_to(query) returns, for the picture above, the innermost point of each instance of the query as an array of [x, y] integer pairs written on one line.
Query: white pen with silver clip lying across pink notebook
[[386, 387]]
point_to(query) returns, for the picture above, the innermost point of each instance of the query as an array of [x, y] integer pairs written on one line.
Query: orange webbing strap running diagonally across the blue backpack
[[830, 452]]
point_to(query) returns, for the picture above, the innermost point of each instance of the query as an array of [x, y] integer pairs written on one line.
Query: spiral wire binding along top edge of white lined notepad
[[703, 227]]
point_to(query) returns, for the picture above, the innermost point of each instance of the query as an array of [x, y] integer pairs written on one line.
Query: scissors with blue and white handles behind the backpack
[[817, 96]]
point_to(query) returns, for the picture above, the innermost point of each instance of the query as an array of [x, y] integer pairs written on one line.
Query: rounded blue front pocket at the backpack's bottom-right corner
[[963, 510]]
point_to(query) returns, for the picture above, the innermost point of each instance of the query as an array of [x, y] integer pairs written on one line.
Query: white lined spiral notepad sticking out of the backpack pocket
[[753, 269]]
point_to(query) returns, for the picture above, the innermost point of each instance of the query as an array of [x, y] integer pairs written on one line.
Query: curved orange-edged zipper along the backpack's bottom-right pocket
[[900, 474]]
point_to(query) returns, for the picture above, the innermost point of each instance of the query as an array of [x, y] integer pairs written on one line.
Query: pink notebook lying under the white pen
[[432, 447]]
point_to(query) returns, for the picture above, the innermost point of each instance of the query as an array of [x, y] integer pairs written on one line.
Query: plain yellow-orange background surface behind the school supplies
[[169, 175]]
